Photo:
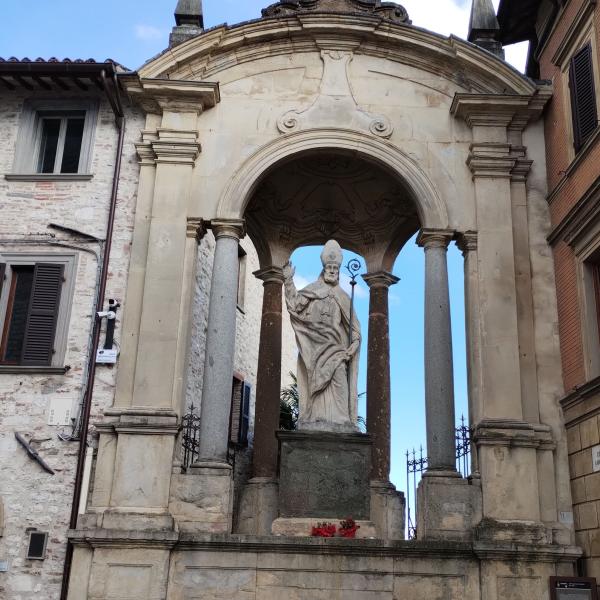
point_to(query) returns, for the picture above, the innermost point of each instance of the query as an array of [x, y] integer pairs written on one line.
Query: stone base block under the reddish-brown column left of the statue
[[259, 505]]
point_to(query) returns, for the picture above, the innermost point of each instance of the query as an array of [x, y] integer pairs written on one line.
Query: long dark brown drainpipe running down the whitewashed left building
[[84, 419]]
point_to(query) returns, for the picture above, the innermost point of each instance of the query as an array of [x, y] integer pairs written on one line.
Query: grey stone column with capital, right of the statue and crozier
[[439, 376]]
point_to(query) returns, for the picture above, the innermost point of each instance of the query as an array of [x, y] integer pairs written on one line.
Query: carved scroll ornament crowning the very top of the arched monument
[[387, 10]]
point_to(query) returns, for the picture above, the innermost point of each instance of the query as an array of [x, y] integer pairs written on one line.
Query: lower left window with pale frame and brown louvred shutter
[[35, 294]]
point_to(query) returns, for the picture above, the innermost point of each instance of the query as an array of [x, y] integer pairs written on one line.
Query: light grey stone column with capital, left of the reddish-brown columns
[[220, 344]]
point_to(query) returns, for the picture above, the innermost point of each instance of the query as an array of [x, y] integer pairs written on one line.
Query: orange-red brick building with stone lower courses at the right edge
[[564, 50]]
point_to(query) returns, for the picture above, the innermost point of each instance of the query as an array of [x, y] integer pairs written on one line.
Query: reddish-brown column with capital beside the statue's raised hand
[[268, 383]]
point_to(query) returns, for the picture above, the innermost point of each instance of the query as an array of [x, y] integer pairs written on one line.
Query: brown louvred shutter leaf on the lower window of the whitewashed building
[[42, 317]]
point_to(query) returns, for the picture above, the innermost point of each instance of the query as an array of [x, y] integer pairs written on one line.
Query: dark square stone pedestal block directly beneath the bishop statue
[[324, 475]]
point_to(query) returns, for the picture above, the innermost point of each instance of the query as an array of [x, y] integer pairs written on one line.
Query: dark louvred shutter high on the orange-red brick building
[[583, 96]]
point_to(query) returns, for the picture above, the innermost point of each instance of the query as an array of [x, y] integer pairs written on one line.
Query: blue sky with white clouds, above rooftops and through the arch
[[133, 31]]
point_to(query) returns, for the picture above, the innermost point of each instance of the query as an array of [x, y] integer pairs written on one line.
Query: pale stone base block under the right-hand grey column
[[446, 507]]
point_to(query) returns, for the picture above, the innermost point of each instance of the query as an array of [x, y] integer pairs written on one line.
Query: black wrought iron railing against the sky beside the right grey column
[[416, 464]]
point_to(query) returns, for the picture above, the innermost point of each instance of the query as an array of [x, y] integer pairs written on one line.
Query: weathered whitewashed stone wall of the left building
[[31, 497]]
